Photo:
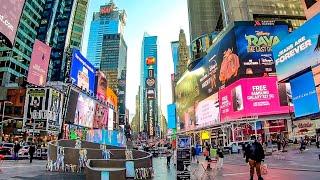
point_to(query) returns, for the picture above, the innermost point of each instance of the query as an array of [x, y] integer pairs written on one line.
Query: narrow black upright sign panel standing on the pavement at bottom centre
[[183, 157]]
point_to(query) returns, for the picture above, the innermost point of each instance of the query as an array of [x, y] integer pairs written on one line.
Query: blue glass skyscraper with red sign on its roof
[[107, 50]]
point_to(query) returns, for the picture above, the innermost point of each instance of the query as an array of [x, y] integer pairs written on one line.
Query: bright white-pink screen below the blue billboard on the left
[[85, 111]]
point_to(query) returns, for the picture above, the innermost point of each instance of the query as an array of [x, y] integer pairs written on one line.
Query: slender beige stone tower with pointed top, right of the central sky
[[184, 57]]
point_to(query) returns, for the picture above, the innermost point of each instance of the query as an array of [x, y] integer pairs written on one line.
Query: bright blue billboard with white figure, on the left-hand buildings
[[82, 73]]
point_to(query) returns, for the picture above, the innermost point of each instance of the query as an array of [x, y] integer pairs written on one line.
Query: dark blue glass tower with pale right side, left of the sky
[[62, 26]]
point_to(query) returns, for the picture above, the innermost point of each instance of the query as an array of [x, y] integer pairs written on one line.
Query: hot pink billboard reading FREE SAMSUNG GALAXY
[[250, 97]]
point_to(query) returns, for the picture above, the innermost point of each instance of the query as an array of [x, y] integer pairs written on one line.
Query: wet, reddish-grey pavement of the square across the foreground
[[294, 167]]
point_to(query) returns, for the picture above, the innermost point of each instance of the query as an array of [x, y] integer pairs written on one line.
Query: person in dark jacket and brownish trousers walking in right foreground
[[254, 156]]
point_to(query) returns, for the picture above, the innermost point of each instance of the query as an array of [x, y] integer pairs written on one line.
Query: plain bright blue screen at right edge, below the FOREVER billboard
[[304, 95]]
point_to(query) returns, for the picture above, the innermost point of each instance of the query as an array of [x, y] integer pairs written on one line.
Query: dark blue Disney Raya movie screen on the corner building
[[254, 44]]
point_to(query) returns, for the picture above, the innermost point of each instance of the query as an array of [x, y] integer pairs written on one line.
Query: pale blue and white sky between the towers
[[163, 18]]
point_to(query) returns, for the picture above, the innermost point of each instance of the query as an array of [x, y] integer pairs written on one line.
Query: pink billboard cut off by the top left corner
[[10, 12]]
